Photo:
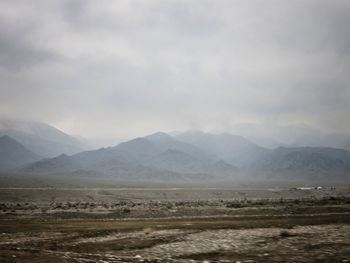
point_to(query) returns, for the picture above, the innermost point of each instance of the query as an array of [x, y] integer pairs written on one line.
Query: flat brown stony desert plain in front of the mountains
[[175, 224]]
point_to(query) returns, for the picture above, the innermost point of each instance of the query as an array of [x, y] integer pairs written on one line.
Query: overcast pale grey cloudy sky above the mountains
[[124, 68]]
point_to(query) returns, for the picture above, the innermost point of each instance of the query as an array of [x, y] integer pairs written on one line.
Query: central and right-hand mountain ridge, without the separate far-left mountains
[[197, 156]]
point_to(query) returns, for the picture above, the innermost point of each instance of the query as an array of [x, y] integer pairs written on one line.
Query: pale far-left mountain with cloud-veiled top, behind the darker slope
[[41, 138]]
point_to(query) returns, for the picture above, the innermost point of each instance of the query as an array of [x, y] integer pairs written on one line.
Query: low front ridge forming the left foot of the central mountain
[[98, 164]]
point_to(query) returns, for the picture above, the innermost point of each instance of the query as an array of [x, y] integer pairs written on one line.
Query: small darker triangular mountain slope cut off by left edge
[[13, 154]]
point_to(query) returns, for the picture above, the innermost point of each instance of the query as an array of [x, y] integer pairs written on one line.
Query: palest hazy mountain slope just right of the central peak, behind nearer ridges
[[233, 149]]
